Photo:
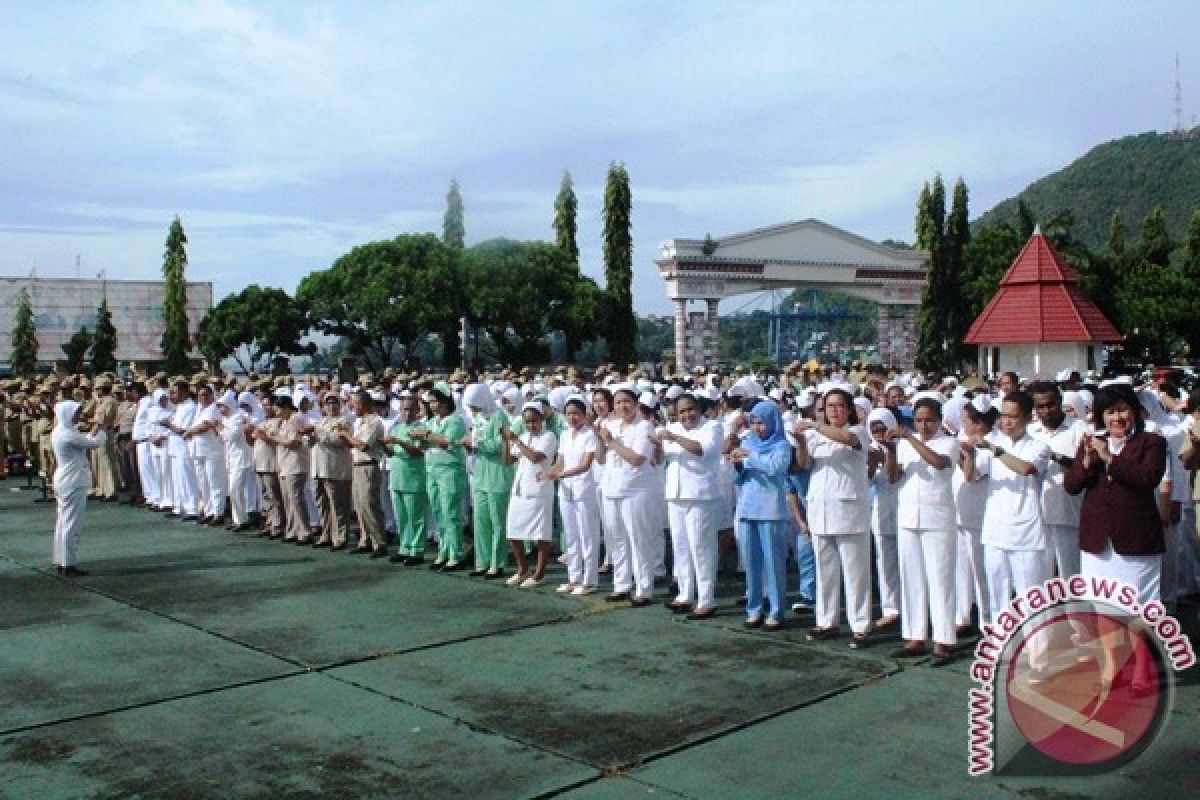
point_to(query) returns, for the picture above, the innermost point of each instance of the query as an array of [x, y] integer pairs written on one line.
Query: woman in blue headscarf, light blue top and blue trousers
[[761, 465]]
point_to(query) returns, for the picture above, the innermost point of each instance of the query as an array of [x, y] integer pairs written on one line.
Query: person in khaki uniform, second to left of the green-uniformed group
[[333, 470]]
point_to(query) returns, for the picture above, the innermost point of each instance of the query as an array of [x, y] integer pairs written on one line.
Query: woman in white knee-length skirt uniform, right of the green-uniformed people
[[531, 516]]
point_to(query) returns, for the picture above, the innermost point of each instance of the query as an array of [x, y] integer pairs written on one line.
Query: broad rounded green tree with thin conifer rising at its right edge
[[386, 296]]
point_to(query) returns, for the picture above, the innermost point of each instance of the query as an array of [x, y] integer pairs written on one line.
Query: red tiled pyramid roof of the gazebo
[[1040, 300]]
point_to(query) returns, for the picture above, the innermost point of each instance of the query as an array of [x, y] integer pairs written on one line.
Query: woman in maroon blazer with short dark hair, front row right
[[1120, 531]]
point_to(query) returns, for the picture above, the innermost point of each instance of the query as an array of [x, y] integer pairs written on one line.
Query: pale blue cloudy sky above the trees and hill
[[286, 134]]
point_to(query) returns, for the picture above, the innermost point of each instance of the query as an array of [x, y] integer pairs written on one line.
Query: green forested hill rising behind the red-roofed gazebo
[[1131, 176]]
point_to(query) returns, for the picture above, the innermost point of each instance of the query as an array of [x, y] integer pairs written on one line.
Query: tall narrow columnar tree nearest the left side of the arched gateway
[[619, 264]]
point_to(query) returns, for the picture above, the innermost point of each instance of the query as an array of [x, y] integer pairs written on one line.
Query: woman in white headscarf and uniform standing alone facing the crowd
[[73, 479]]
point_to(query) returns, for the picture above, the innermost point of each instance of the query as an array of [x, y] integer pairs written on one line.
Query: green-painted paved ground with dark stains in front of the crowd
[[199, 664]]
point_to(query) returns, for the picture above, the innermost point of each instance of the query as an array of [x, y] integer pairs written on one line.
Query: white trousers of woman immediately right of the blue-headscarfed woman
[[844, 560]]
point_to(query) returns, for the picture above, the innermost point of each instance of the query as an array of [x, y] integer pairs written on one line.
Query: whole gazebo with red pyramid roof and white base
[[1040, 322]]
